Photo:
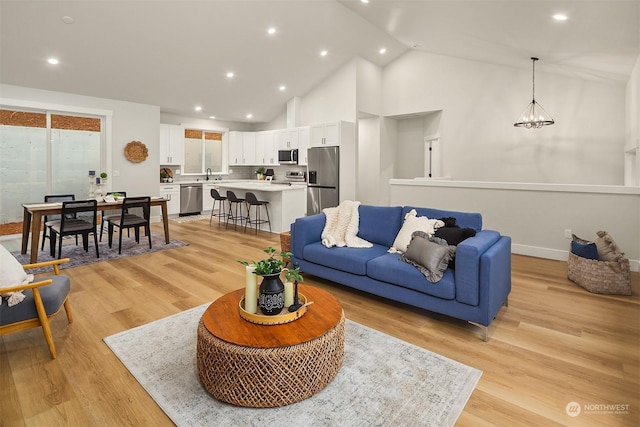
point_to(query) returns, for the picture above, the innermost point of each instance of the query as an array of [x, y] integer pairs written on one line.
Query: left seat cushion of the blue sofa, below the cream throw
[[351, 260]]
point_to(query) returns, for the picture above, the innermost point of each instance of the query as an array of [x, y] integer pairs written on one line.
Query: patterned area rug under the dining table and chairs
[[79, 257]]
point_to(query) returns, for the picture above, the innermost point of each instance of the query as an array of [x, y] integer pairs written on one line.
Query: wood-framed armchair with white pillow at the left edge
[[39, 300]]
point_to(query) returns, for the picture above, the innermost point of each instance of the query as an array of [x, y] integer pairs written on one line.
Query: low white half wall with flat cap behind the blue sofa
[[536, 216]]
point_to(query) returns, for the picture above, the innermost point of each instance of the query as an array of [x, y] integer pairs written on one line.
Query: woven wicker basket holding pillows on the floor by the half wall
[[600, 277]]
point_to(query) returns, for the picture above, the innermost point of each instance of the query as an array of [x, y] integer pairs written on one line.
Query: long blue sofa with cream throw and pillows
[[474, 291]]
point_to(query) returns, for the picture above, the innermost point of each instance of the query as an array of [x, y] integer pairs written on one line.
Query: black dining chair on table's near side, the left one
[[78, 217]]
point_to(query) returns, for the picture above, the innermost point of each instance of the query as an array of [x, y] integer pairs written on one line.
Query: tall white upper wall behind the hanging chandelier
[[480, 103]]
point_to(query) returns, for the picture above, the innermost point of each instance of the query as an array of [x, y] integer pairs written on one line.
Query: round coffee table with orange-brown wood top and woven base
[[261, 366]]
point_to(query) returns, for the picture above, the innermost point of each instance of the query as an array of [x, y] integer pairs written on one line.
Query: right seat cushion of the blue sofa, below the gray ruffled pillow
[[389, 268]]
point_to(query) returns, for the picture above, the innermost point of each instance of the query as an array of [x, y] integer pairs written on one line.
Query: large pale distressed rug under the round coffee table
[[383, 381]]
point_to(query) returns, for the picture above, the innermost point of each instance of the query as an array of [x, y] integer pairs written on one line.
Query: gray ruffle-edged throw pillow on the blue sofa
[[430, 255]]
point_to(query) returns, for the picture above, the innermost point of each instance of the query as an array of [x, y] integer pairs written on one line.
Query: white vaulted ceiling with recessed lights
[[176, 54]]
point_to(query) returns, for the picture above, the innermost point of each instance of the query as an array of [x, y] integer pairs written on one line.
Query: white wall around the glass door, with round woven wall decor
[[130, 122]]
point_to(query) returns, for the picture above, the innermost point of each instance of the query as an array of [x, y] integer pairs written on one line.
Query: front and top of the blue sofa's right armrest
[[467, 271]]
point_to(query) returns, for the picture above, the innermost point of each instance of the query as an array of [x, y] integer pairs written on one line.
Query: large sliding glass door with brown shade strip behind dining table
[[45, 153]]
